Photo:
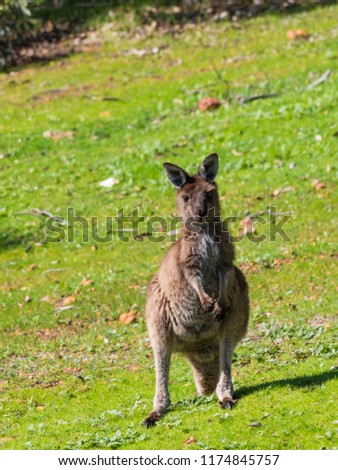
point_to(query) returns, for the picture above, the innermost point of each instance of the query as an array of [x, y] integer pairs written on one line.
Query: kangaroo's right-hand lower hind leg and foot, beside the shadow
[[224, 388]]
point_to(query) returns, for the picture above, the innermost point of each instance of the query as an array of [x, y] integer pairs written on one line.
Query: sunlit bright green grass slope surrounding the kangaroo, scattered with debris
[[77, 378]]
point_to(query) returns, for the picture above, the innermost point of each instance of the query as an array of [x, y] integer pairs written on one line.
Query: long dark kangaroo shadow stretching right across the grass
[[295, 382]]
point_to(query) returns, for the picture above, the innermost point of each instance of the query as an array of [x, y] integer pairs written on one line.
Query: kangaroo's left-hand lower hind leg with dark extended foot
[[162, 399]]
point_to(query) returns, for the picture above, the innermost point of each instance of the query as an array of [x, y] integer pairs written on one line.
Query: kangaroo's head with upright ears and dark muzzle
[[197, 195]]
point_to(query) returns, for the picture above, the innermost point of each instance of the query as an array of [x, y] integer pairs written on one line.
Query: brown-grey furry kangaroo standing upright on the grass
[[198, 302]]
